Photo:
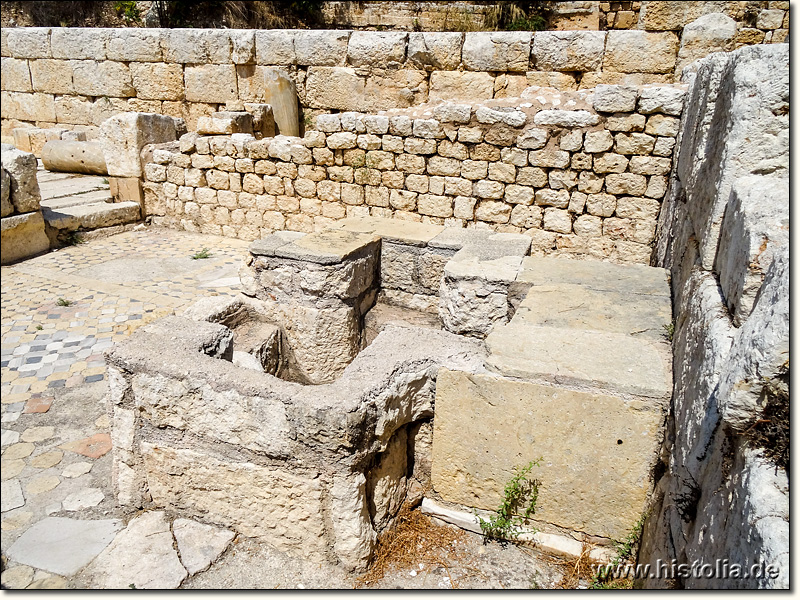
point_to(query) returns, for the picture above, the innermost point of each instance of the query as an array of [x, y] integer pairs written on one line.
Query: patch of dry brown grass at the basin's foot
[[415, 538]]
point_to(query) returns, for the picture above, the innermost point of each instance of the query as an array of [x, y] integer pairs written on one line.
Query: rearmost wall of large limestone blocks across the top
[[77, 78]]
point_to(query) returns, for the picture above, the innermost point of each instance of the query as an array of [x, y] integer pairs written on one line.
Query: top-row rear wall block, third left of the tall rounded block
[[496, 51]]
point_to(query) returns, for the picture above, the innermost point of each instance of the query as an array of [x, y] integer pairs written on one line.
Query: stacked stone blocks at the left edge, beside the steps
[[23, 227]]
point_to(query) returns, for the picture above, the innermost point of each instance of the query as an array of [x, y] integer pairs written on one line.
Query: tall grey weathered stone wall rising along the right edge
[[724, 234]]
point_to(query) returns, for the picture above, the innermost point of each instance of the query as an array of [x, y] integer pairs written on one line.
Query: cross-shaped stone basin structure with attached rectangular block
[[301, 411]]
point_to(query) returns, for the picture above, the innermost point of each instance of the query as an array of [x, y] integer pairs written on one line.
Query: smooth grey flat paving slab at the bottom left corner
[[61, 545]]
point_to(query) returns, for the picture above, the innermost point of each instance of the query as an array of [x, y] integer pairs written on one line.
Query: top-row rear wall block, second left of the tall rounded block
[[568, 50]]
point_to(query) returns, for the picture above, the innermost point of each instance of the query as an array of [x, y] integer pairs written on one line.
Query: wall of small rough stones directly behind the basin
[[581, 173]]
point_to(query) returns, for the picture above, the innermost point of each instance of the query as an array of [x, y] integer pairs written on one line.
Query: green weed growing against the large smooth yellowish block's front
[[517, 506]]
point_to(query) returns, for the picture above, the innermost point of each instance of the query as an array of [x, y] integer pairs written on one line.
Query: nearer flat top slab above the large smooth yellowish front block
[[615, 362]]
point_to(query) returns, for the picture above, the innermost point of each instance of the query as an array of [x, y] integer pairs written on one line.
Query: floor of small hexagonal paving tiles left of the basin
[[59, 313]]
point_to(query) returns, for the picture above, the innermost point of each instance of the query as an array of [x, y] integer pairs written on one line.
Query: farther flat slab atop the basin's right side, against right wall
[[578, 307]]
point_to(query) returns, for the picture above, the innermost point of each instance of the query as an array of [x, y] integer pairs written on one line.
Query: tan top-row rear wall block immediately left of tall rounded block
[[640, 52]]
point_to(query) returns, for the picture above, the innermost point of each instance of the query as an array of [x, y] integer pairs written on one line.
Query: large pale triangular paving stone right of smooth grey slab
[[141, 555]]
